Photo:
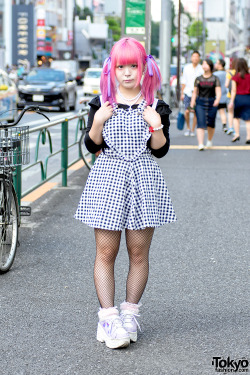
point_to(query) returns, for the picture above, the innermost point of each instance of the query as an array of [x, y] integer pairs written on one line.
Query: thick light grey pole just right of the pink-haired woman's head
[[165, 48]]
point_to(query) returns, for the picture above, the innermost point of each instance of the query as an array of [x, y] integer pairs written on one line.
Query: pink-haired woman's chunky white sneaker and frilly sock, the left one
[[110, 329]]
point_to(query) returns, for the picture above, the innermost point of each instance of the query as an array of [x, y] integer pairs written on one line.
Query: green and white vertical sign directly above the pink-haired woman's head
[[136, 20]]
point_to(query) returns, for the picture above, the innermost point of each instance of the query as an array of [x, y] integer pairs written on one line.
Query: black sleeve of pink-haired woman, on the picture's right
[[164, 111]]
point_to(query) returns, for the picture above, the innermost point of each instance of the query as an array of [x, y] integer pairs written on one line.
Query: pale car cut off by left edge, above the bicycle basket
[[8, 98]]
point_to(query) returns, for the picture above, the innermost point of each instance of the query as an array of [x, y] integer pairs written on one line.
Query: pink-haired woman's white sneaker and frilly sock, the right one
[[129, 312]]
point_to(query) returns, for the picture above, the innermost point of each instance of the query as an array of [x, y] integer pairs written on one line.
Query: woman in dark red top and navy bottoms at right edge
[[240, 98]]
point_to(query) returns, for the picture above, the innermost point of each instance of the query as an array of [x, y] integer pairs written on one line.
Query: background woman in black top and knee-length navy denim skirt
[[206, 95]]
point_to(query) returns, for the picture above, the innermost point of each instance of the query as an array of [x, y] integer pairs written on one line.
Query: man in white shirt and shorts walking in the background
[[190, 72]]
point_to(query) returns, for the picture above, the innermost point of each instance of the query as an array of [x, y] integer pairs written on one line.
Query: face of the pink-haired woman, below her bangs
[[127, 75]]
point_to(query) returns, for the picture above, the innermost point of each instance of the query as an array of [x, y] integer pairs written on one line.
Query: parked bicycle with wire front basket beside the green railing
[[14, 151]]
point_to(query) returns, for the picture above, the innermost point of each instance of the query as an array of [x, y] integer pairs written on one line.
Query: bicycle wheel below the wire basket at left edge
[[8, 225]]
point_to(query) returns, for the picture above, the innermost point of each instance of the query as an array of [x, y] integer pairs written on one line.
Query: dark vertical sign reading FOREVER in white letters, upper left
[[23, 34]]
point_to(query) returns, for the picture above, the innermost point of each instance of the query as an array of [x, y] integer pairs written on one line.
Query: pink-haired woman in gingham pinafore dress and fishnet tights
[[125, 188]]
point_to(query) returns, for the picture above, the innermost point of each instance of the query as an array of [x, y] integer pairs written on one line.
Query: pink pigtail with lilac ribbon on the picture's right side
[[152, 80]]
